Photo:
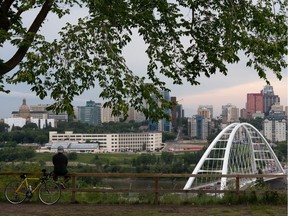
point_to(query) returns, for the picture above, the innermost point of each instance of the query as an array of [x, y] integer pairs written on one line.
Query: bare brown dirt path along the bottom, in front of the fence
[[38, 209]]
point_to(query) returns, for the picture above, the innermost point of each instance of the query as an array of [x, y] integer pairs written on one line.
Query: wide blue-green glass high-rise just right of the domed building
[[91, 113]]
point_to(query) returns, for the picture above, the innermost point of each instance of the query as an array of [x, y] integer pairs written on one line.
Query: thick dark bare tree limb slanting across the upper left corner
[[27, 40]]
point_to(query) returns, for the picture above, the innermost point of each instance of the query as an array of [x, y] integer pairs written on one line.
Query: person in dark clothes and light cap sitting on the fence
[[60, 162]]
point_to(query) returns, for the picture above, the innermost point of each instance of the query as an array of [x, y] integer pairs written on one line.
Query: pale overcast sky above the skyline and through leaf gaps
[[217, 90]]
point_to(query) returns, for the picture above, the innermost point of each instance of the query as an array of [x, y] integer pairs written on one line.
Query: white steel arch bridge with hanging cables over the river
[[238, 149]]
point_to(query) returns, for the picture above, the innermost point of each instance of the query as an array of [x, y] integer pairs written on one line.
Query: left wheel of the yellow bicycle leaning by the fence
[[15, 192]]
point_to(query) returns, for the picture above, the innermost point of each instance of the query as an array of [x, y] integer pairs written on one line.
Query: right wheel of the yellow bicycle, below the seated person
[[49, 192]]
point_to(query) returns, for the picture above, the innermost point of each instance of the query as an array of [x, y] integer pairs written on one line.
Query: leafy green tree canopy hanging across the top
[[185, 39]]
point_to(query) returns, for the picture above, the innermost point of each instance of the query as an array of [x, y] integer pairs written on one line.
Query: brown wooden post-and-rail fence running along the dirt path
[[156, 189]]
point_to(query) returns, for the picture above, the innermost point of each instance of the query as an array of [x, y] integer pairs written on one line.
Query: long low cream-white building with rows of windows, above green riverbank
[[118, 142]]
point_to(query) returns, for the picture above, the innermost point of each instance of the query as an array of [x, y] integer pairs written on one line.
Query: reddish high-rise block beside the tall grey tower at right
[[254, 103]]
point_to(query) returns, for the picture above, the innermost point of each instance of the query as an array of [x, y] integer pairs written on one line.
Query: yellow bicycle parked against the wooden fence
[[49, 192]]
